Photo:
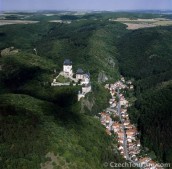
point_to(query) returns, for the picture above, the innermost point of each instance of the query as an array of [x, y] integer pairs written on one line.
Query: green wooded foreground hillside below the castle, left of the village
[[30, 128]]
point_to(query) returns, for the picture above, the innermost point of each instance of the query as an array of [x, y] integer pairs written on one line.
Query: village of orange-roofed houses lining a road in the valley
[[127, 134]]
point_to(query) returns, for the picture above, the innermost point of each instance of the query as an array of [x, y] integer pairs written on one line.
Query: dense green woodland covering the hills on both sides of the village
[[36, 118]]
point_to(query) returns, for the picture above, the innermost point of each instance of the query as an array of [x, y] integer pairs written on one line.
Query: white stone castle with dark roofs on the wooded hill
[[79, 77]]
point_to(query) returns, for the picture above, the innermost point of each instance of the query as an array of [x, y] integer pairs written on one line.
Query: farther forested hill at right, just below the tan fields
[[147, 52]]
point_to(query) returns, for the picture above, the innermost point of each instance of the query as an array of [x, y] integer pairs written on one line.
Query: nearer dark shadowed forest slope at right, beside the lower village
[[155, 121]]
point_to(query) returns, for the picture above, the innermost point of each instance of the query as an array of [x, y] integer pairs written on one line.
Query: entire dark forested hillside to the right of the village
[[146, 56]]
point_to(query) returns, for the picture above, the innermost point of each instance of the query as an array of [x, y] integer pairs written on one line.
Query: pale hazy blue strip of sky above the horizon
[[109, 5]]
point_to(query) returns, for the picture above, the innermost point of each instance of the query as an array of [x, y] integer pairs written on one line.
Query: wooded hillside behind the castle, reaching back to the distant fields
[[90, 44]]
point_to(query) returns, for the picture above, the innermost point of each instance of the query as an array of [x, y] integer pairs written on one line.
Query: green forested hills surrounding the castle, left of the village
[[44, 124]]
